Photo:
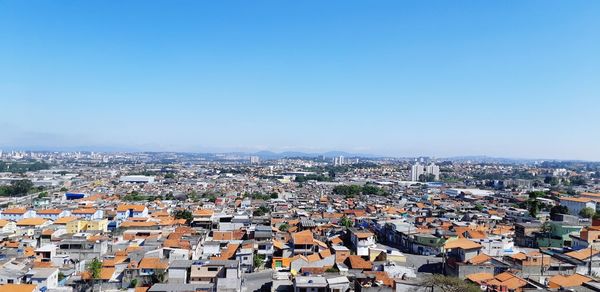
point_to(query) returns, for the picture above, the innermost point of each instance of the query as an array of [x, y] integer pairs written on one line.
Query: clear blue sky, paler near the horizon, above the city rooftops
[[403, 78]]
